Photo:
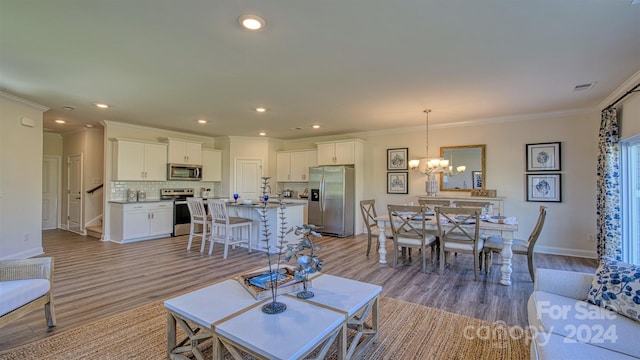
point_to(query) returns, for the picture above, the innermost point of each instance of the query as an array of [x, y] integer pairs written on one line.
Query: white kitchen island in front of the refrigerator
[[294, 216]]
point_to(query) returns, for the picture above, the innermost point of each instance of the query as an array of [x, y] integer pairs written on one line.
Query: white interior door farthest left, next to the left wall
[[50, 193]]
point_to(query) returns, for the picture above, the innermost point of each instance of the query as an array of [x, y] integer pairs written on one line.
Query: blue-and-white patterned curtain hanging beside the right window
[[609, 236]]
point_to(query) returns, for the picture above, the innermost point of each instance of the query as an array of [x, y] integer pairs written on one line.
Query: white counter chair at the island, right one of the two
[[224, 227]]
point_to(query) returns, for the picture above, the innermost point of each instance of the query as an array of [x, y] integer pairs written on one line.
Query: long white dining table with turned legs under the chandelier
[[487, 228]]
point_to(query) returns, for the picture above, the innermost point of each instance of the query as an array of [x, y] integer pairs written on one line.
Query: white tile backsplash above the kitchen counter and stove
[[152, 188]]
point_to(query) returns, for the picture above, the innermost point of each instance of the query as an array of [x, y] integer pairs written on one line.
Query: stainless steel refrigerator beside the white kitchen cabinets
[[332, 199]]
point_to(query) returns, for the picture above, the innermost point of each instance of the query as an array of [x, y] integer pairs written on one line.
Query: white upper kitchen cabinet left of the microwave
[[139, 161]]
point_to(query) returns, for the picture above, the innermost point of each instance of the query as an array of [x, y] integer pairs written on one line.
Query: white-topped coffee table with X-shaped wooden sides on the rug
[[227, 313]]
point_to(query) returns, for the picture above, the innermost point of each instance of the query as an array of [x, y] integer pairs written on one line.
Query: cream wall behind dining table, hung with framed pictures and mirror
[[568, 222]]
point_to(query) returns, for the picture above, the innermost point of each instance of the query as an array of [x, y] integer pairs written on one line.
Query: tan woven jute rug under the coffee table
[[407, 331]]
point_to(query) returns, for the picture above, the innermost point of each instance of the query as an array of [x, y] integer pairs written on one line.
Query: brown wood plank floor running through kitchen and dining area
[[95, 279]]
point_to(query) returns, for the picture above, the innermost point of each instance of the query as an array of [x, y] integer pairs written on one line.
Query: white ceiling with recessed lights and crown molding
[[346, 65]]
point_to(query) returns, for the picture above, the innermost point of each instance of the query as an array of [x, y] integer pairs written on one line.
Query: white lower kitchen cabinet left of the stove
[[141, 221]]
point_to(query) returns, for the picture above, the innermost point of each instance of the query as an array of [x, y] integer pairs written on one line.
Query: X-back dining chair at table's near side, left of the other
[[408, 225]]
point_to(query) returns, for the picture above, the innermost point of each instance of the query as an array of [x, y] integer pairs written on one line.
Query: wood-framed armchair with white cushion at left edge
[[24, 286]]
